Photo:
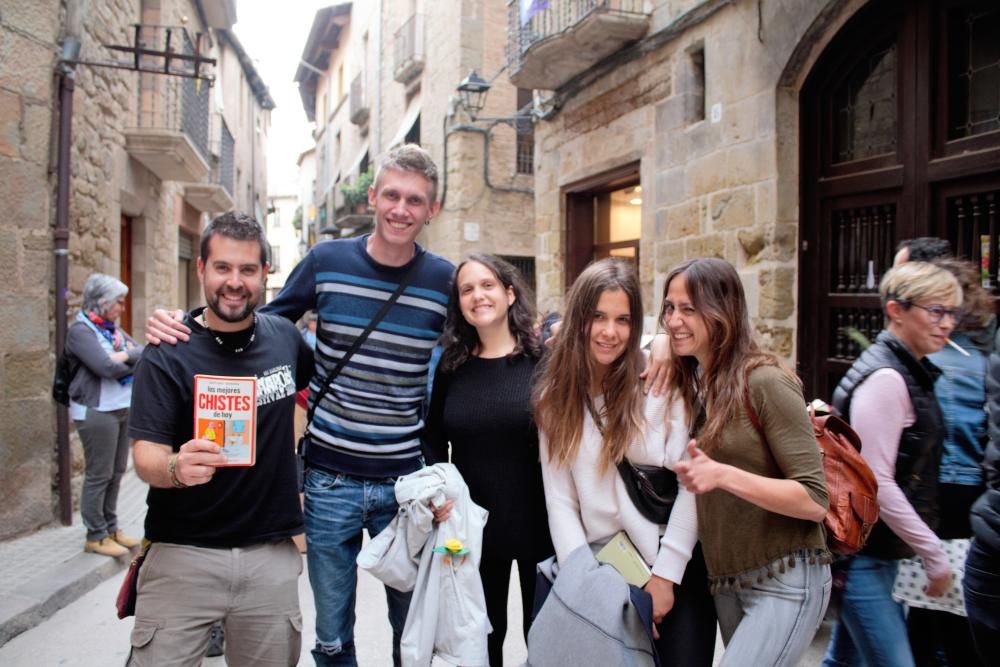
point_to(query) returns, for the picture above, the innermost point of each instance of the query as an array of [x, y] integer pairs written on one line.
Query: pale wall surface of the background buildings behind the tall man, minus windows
[[477, 216]]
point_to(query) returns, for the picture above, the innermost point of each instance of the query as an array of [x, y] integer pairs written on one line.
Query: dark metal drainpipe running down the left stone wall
[[60, 236]]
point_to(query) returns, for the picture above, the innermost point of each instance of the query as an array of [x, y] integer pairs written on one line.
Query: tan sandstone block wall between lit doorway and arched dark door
[[711, 182]]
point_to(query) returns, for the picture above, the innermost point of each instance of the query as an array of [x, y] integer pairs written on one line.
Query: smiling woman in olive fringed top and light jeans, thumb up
[[761, 496]]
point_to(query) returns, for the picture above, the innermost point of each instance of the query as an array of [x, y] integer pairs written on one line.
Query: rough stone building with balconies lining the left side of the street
[[152, 156]]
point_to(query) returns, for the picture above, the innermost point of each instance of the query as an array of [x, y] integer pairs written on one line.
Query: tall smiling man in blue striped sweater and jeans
[[366, 432]]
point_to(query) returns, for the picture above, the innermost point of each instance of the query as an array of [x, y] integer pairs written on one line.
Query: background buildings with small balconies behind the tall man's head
[[376, 75]]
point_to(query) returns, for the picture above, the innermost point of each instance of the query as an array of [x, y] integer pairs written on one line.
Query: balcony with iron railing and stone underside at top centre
[[549, 43]]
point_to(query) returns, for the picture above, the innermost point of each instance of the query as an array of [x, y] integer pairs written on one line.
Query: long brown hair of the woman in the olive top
[[717, 295]]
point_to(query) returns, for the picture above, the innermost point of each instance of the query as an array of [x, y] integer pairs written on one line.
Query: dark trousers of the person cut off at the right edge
[[981, 586]]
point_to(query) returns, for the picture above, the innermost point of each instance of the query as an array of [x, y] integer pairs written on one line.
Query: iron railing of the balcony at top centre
[[530, 23]]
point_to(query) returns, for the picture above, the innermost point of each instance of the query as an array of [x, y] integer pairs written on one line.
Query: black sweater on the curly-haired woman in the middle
[[483, 409]]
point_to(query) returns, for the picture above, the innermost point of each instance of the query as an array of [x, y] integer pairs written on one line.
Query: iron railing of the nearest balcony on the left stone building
[[174, 103]]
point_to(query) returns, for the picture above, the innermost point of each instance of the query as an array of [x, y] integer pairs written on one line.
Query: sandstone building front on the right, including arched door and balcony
[[798, 140]]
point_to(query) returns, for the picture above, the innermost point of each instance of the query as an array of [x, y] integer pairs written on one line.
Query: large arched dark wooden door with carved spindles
[[900, 138]]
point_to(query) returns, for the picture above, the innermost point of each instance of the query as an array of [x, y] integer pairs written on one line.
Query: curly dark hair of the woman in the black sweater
[[460, 339]]
